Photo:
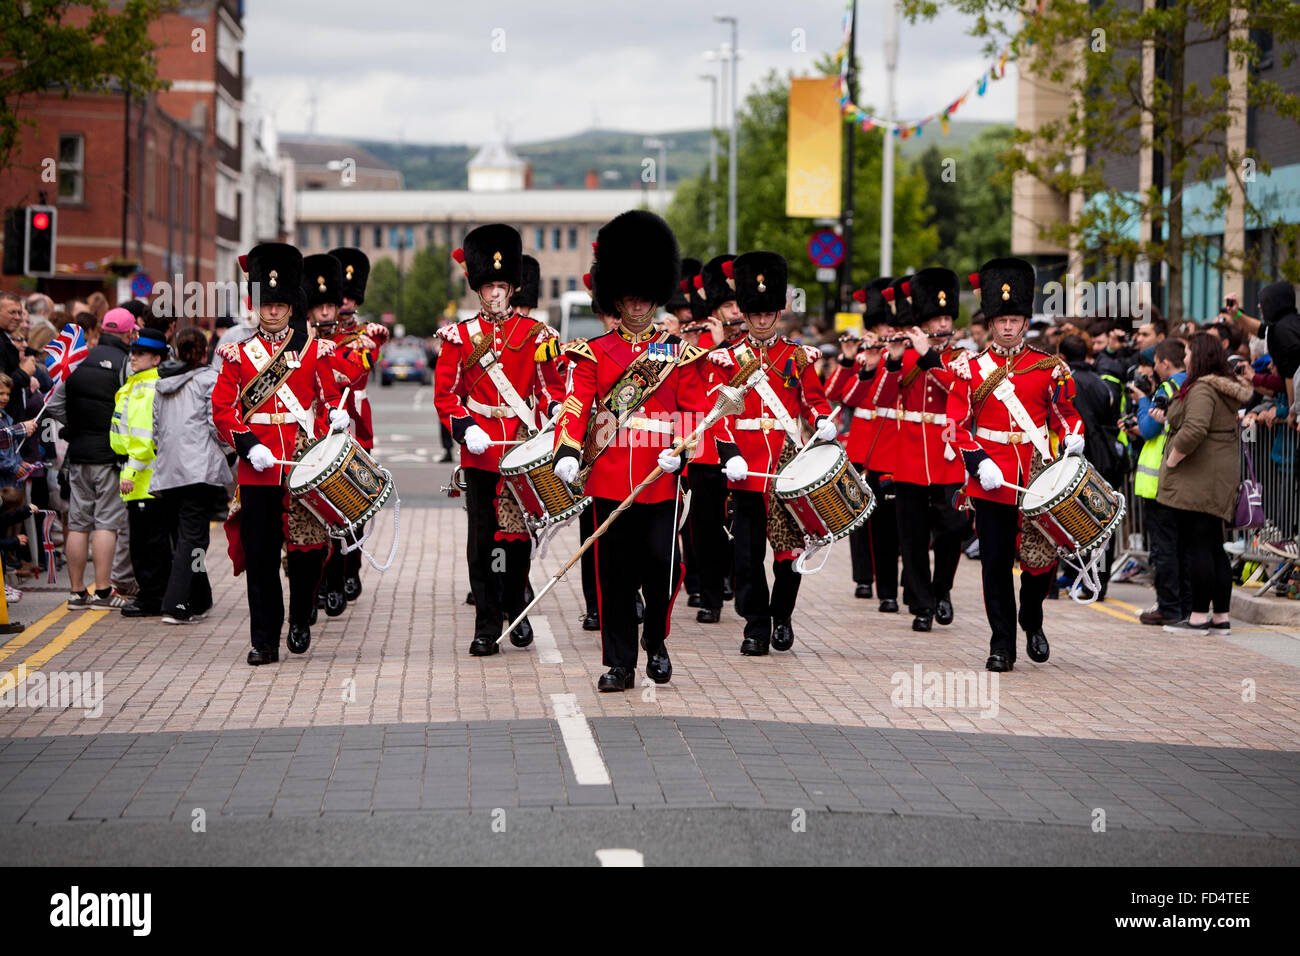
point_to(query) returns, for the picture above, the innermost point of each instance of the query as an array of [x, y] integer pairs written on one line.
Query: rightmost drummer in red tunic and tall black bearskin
[[1004, 408]]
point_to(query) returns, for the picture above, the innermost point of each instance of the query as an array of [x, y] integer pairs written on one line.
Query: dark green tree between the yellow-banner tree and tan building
[[972, 202]]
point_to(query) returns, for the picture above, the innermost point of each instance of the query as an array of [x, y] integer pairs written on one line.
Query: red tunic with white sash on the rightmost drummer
[[1046, 390]]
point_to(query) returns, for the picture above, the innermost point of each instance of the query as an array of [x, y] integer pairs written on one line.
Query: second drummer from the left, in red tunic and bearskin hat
[[487, 377]]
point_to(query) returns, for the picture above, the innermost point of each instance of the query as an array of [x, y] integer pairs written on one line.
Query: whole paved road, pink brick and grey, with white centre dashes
[[866, 743]]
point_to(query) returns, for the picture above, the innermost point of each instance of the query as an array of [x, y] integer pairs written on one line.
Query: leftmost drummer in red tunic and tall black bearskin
[[265, 405]]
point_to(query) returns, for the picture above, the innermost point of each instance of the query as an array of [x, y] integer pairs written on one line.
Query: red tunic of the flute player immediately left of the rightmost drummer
[[920, 390]]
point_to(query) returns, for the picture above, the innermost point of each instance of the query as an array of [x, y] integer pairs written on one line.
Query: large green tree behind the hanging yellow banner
[[761, 220]]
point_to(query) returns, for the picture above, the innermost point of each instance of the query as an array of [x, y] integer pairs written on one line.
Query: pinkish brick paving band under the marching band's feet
[[398, 656]]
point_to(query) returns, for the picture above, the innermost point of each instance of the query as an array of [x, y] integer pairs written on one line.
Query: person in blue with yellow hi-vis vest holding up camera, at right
[[1152, 396]]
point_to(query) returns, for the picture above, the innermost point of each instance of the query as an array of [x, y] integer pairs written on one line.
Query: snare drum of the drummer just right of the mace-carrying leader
[[825, 495]]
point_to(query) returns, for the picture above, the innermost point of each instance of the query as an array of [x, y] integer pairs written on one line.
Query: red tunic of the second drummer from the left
[[461, 392]]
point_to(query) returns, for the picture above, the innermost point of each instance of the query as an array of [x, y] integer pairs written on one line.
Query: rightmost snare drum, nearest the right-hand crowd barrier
[[1073, 507]]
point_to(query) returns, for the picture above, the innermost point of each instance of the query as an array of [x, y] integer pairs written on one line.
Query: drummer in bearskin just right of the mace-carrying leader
[[762, 439]]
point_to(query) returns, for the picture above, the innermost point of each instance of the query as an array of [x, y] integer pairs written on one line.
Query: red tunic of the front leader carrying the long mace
[[634, 453]]
